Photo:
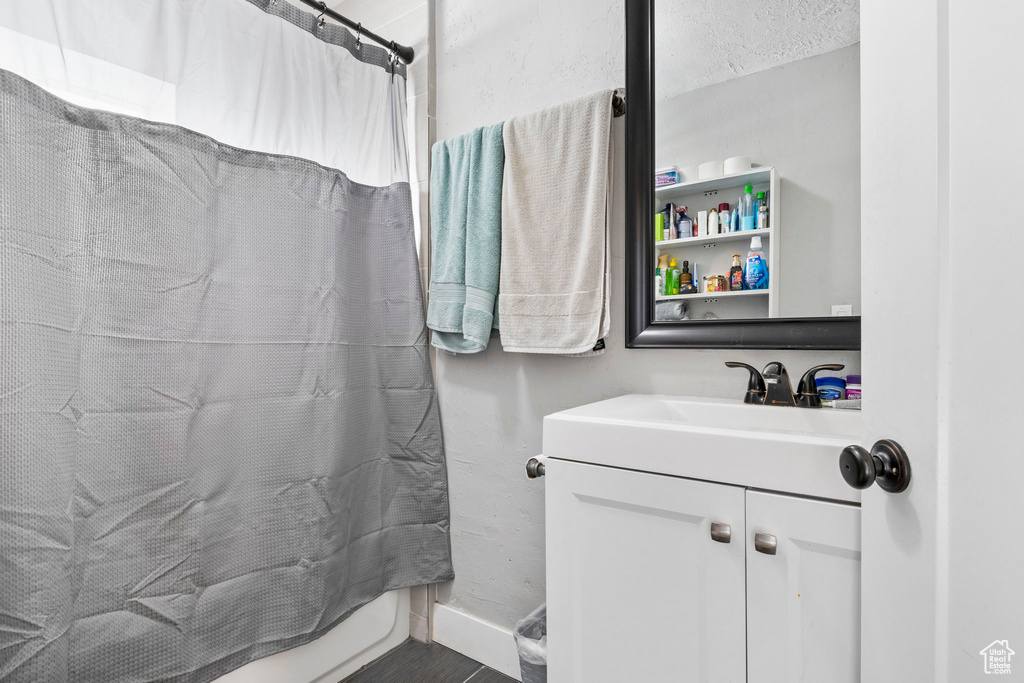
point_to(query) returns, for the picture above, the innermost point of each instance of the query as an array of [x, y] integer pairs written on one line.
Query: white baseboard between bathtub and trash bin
[[489, 645]]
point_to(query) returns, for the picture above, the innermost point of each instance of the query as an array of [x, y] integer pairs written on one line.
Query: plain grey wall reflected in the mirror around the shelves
[[804, 119]]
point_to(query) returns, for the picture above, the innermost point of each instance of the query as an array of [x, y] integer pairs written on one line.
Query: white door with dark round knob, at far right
[[943, 142]]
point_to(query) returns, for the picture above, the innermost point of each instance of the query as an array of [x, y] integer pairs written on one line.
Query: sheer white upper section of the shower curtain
[[260, 75]]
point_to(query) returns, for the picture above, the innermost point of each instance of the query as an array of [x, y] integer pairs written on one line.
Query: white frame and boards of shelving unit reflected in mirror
[[713, 254]]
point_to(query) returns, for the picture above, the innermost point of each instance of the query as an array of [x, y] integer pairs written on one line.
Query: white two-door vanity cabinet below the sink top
[[641, 589]]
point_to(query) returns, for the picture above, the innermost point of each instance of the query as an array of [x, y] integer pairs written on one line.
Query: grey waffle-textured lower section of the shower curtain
[[219, 430]]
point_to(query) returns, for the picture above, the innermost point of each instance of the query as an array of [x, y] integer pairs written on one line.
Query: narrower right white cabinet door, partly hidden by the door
[[803, 604]]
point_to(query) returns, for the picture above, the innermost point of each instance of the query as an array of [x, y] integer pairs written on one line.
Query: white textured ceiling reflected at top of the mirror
[[703, 42]]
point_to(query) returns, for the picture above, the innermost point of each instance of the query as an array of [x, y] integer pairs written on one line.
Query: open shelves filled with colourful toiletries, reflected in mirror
[[720, 261]]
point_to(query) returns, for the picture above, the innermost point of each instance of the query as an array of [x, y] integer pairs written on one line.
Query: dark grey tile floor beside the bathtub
[[418, 663]]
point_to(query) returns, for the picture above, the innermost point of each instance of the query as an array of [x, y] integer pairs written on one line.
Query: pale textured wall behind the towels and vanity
[[497, 60]]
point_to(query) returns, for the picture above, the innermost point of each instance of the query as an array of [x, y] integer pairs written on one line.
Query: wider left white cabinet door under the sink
[[637, 589]]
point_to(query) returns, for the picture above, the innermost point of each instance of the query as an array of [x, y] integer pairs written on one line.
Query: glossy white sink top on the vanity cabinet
[[792, 450]]
